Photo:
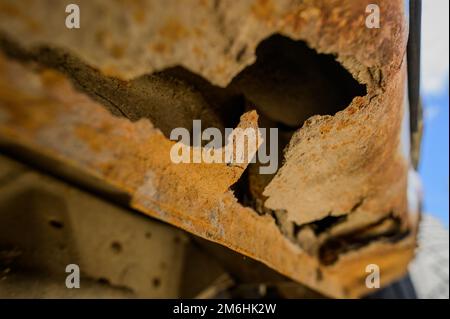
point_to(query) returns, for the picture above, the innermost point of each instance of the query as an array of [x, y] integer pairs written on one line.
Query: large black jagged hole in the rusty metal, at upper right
[[290, 82]]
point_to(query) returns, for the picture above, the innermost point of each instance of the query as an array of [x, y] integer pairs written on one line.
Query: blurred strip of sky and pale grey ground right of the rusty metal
[[430, 270]]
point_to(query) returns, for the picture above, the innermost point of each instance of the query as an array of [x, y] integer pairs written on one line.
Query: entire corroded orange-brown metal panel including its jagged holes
[[93, 101]]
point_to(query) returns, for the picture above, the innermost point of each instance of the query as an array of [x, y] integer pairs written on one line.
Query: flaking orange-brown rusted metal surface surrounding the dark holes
[[345, 164]]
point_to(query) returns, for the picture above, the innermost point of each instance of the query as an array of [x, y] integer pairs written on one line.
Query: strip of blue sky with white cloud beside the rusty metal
[[434, 166]]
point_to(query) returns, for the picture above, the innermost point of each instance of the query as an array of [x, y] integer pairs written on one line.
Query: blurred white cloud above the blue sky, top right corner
[[434, 47]]
